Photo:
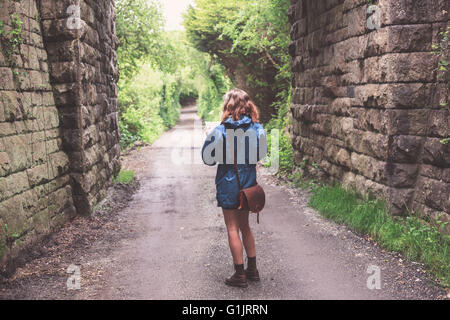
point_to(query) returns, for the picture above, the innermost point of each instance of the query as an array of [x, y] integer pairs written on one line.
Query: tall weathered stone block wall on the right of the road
[[366, 103]]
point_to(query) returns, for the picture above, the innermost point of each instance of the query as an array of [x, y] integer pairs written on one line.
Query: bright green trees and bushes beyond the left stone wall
[[158, 69]]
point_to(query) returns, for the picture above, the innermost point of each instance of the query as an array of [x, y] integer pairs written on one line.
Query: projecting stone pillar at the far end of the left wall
[[83, 65]]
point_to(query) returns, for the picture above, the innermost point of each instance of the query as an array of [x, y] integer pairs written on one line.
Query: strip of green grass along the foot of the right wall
[[411, 236]]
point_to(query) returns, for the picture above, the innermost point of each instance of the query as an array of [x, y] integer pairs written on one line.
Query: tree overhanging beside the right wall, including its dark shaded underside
[[251, 34]]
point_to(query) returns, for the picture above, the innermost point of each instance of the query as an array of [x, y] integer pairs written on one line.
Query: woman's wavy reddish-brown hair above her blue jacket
[[237, 103]]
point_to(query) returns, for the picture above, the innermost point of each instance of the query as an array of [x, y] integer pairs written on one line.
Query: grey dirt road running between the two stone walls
[[178, 245]]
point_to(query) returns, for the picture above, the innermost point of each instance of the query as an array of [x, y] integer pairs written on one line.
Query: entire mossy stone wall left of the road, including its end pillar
[[58, 117]]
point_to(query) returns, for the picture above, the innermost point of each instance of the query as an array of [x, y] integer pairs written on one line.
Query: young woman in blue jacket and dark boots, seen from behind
[[239, 112]]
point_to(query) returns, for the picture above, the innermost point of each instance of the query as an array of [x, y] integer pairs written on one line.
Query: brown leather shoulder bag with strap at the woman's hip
[[252, 199]]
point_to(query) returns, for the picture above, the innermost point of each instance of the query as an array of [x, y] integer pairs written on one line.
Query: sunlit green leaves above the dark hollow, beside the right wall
[[258, 26]]
